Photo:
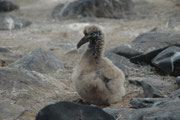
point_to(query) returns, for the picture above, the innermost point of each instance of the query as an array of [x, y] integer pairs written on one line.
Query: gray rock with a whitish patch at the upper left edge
[[10, 22]]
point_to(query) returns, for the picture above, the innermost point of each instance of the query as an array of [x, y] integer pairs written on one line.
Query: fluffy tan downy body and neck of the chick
[[97, 79]]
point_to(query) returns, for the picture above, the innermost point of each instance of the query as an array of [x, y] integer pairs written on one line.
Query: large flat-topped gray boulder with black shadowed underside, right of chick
[[151, 44]]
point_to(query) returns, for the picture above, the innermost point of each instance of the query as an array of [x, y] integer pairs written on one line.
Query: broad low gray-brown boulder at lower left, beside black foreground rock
[[31, 90]]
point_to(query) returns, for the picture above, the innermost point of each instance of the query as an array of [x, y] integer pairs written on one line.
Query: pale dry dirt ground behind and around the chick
[[60, 37]]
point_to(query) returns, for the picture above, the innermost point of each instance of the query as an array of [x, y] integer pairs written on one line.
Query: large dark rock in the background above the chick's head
[[93, 8]]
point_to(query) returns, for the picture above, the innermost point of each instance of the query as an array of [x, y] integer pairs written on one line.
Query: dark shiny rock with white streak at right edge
[[168, 60]]
